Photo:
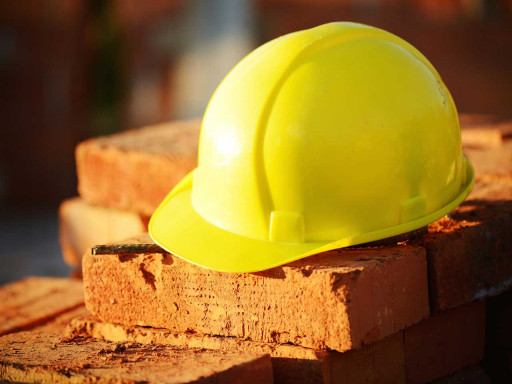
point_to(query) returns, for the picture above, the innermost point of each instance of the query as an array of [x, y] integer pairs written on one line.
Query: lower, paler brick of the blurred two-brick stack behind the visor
[[82, 225]]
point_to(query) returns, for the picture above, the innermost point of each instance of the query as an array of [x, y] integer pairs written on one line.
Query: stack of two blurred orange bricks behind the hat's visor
[[121, 180]]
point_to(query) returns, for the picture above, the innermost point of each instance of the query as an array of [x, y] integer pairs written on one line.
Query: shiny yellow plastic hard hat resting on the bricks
[[321, 139]]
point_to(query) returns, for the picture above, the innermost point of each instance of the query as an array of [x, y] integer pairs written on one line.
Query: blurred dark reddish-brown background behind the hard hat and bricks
[[73, 69]]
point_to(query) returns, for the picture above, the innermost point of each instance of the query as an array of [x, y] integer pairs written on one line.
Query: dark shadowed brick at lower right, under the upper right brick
[[445, 343]]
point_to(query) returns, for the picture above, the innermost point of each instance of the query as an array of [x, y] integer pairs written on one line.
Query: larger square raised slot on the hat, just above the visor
[[287, 226]]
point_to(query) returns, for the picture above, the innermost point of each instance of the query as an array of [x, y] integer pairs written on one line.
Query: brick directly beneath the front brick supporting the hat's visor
[[377, 363]]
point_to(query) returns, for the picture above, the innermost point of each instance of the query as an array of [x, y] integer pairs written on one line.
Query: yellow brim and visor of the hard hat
[[179, 229]]
